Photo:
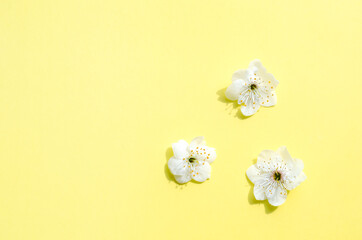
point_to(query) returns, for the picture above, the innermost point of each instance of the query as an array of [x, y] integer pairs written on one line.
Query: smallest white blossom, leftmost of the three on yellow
[[191, 161]]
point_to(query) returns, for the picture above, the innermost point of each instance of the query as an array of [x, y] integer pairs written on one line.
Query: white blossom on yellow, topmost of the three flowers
[[253, 87]]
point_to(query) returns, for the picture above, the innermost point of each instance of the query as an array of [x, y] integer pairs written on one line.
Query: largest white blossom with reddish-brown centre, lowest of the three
[[274, 174]]
